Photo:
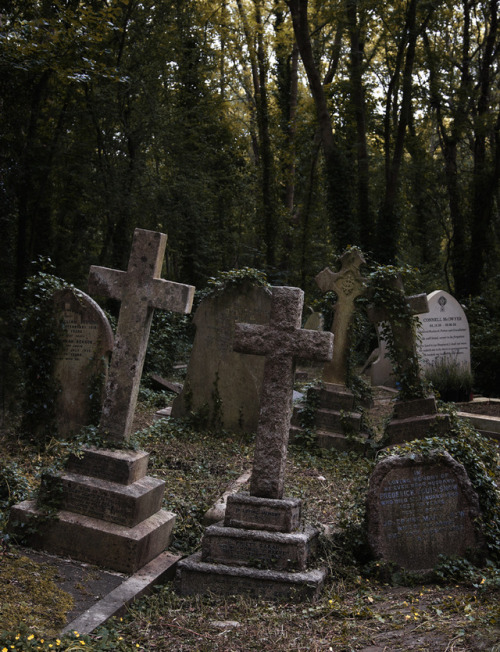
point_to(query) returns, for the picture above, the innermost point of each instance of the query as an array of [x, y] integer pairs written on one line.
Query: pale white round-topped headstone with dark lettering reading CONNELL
[[444, 332]]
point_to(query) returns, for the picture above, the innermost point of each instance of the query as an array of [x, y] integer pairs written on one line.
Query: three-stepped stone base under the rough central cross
[[259, 549]]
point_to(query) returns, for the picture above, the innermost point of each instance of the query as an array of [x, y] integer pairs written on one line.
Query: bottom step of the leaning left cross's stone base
[[92, 540]]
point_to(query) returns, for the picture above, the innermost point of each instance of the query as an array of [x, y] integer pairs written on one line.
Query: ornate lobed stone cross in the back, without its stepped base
[[348, 285]]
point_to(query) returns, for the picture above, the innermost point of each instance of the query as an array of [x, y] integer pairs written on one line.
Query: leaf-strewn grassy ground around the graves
[[363, 607]]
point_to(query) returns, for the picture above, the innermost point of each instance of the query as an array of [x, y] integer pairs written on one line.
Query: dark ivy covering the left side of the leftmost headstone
[[39, 343]]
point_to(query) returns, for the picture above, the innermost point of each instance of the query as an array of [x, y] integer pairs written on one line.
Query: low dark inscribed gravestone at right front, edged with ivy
[[419, 508]]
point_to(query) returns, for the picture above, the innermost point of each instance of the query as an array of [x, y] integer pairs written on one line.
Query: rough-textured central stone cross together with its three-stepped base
[[261, 542]]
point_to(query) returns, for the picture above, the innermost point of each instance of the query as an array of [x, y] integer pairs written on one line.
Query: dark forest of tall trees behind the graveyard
[[255, 133]]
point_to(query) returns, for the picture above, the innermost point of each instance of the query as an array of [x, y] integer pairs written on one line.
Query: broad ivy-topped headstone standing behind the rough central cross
[[225, 383]]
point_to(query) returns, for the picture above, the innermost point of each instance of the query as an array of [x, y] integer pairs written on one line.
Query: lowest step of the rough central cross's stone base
[[195, 576]]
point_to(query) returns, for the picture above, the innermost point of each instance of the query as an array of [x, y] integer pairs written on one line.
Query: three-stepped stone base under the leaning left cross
[[116, 524]]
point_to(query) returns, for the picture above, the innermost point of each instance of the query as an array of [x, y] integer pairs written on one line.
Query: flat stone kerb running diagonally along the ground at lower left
[[159, 570]]
